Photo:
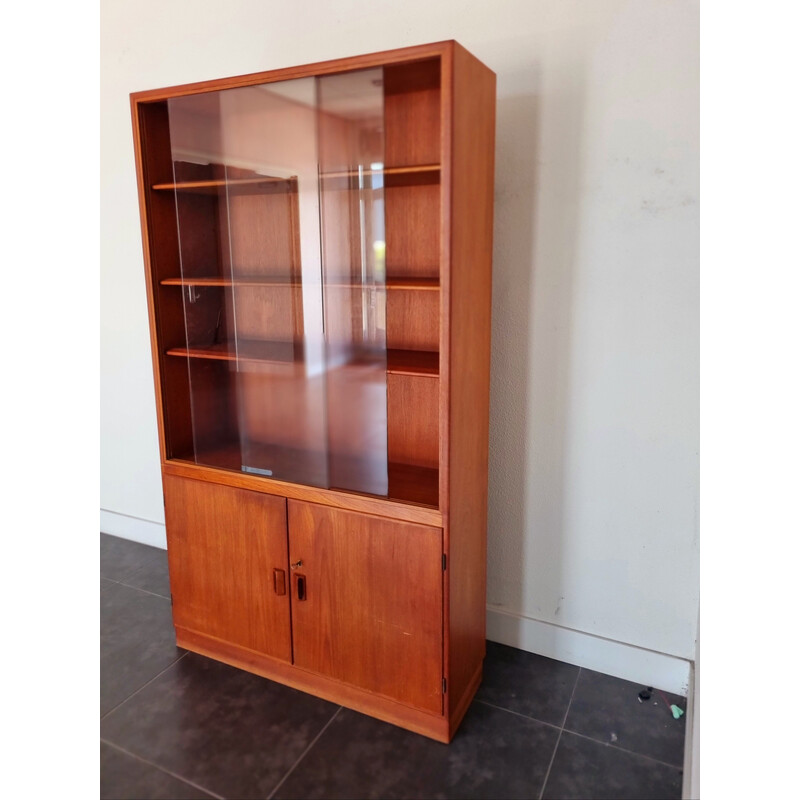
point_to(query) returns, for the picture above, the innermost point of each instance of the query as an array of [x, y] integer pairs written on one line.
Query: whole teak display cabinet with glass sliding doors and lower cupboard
[[318, 245]]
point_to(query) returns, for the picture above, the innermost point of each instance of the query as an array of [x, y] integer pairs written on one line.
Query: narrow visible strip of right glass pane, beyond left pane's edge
[[352, 222]]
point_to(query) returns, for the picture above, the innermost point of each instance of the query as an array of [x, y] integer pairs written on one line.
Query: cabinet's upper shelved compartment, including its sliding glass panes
[[249, 380]]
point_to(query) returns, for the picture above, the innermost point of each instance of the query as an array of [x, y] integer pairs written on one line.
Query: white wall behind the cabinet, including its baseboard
[[593, 521]]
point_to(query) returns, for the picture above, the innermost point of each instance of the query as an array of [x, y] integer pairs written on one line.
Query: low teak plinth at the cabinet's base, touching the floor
[[434, 727]]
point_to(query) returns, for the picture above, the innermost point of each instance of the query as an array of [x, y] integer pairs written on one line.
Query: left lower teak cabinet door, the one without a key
[[228, 564]]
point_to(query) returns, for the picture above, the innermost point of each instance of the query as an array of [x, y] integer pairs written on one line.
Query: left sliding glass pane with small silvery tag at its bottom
[[257, 379]]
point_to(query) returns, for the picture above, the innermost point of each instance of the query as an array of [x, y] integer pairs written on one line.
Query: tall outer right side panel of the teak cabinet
[[470, 340]]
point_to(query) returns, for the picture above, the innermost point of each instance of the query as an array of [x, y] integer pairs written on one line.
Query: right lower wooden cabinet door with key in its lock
[[367, 602]]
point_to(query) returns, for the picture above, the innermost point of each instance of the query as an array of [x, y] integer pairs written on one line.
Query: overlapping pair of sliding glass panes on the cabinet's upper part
[[279, 199]]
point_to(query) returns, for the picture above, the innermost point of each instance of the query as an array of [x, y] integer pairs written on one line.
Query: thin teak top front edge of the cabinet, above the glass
[[432, 50]]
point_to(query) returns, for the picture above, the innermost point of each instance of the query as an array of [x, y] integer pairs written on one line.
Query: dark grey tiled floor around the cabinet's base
[[177, 725]]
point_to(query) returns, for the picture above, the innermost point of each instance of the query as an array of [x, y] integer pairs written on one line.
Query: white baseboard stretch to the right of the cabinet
[[646, 667]]
